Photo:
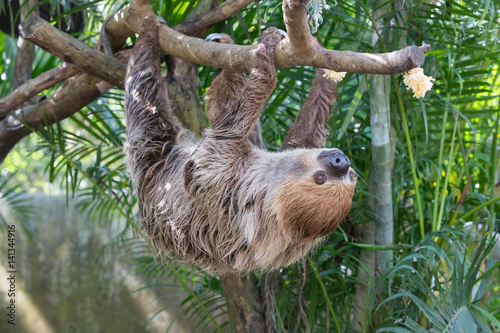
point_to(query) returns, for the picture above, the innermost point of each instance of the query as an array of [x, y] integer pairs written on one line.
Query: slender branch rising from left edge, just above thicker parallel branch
[[34, 86]]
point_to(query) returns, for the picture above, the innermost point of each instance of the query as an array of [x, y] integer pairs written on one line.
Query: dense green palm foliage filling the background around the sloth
[[443, 282]]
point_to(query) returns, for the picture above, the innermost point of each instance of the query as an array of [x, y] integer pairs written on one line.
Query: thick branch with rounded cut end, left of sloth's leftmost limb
[[70, 49]]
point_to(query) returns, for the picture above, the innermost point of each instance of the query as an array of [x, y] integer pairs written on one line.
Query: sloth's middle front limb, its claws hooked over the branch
[[241, 118]]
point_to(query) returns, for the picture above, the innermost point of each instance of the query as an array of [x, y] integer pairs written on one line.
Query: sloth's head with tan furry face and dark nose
[[316, 193]]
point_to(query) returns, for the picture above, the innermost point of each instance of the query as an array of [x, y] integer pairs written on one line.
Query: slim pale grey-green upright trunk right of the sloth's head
[[381, 231]]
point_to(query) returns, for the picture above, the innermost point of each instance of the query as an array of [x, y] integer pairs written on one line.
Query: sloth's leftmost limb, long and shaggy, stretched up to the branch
[[151, 125]]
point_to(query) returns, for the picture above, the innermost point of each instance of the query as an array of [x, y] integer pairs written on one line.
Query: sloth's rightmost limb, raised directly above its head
[[310, 128]]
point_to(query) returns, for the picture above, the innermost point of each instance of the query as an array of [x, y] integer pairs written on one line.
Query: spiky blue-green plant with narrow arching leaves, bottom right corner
[[439, 284]]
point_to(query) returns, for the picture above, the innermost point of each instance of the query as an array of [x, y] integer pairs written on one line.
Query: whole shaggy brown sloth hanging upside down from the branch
[[223, 203]]
